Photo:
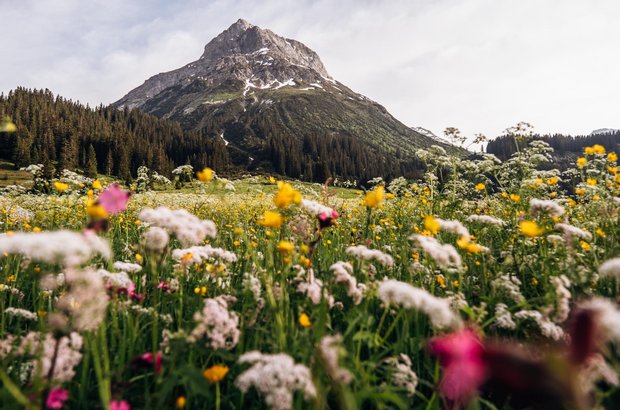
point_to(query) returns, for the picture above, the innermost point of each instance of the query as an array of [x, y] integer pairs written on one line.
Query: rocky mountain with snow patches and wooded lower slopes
[[273, 103]]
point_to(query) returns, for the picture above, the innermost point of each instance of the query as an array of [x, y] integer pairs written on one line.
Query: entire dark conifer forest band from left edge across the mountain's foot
[[63, 134]]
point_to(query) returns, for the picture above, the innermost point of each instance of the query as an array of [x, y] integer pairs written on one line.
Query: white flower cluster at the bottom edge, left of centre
[[275, 377]]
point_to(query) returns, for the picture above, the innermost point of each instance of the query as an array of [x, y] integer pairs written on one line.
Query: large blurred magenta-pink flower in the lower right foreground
[[461, 356]]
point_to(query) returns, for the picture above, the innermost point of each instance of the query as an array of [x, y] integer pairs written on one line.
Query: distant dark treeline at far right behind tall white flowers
[[505, 146]]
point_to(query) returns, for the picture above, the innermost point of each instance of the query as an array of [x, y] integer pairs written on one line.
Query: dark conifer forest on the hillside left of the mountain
[[63, 134]]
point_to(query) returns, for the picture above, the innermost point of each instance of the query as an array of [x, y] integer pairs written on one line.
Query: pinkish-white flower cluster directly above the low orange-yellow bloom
[[217, 323]]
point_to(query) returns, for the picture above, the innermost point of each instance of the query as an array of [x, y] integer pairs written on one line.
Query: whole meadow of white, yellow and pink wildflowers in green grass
[[485, 284]]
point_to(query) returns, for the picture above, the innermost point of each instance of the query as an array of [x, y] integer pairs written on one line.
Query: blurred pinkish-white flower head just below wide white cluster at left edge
[[86, 301]]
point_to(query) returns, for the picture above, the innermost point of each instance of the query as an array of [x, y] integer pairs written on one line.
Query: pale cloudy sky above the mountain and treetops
[[479, 65]]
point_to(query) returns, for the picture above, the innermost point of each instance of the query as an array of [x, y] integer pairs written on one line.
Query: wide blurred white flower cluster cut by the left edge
[[69, 248]]
